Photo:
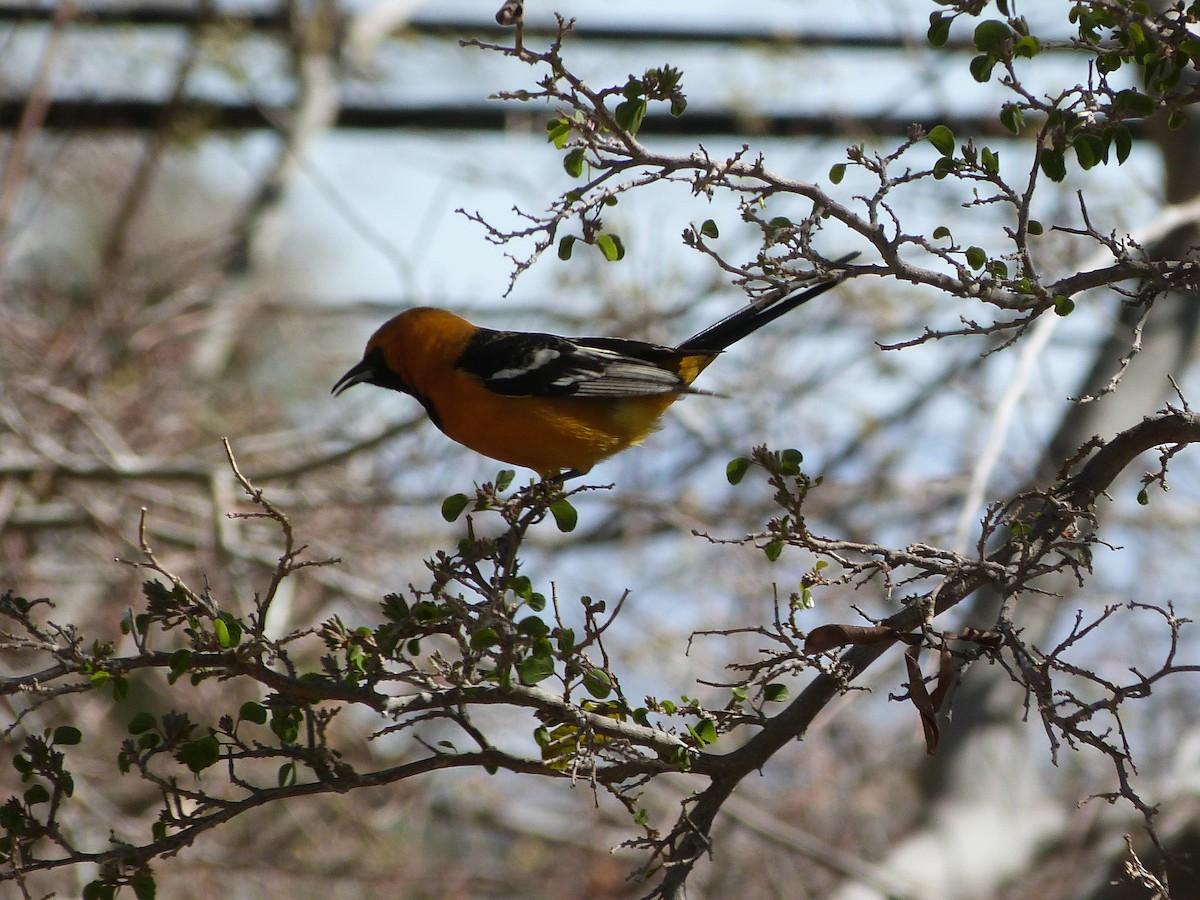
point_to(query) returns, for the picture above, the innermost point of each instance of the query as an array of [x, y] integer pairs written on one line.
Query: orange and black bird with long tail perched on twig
[[545, 403]]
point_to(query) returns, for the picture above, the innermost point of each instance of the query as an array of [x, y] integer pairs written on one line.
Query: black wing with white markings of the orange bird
[[520, 364]]
